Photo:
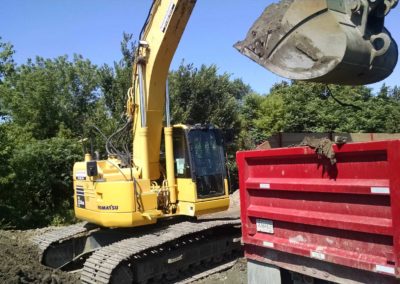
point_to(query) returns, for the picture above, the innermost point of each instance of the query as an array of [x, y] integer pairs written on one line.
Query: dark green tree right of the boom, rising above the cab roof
[[203, 96]]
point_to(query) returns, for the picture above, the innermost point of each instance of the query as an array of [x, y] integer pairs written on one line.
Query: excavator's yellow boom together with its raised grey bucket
[[329, 41]]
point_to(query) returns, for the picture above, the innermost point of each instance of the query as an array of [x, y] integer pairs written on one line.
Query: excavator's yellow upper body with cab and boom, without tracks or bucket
[[190, 180]]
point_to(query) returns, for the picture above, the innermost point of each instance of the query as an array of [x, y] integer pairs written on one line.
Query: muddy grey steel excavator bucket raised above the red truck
[[327, 41]]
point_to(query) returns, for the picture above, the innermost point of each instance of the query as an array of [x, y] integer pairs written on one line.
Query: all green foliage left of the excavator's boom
[[47, 105]]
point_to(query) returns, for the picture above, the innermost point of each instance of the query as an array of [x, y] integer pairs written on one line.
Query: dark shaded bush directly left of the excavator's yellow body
[[41, 190]]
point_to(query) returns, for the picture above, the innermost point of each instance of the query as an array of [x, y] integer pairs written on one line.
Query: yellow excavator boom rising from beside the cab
[[159, 40]]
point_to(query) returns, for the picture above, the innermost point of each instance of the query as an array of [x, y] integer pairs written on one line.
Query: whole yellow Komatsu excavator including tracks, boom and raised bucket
[[331, 41]]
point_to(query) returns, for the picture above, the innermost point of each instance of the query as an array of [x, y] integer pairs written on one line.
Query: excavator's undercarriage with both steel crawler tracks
[[172, 251]]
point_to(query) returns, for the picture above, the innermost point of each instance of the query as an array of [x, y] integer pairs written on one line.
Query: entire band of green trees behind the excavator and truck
[[48, 105]]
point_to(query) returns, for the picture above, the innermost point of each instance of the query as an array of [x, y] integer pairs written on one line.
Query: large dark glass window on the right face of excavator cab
[[207, 156]]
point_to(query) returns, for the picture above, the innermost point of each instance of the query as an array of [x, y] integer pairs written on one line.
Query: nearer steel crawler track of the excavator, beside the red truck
[[162, 255]]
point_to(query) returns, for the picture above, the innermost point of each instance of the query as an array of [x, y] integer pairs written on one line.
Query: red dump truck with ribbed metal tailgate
[[315, 221]]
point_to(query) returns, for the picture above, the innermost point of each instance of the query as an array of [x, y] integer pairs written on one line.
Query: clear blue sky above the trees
[[94, 29]]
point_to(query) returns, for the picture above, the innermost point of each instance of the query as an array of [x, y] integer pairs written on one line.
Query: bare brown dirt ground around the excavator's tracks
[[19, 261]]
